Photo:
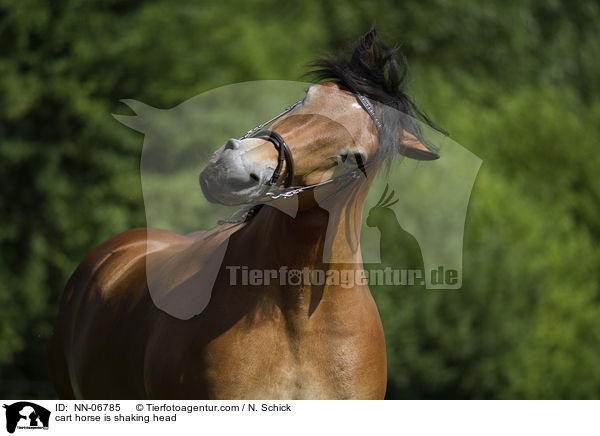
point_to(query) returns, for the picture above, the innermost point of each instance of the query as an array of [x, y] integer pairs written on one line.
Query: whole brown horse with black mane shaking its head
[[267, 341]]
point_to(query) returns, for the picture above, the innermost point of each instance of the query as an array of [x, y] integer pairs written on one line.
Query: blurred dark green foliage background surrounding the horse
[[516, 82]]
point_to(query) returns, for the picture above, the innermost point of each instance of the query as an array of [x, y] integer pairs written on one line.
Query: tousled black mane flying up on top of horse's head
[[378, 72]]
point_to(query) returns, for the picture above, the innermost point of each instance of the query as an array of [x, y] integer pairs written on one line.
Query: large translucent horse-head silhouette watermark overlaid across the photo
[[214, 178]]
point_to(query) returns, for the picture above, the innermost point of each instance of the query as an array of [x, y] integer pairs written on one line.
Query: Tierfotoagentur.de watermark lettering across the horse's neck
[[345, 278]]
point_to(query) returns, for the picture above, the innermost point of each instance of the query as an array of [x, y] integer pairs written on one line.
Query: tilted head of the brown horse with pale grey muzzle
[[332, 131]]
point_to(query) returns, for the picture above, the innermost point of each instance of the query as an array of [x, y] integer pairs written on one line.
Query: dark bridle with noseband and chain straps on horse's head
[[284, 153]]
